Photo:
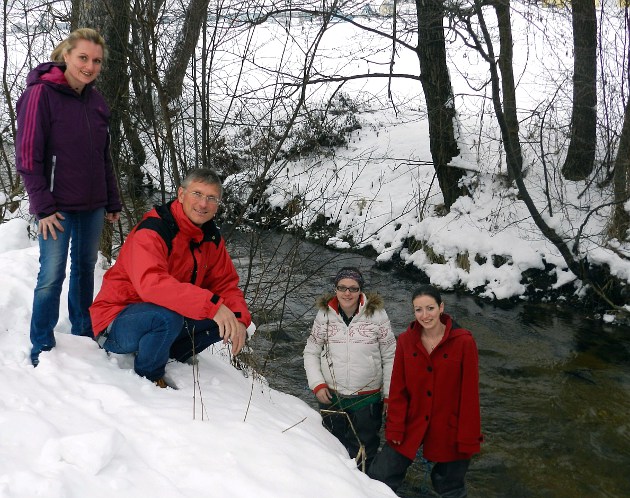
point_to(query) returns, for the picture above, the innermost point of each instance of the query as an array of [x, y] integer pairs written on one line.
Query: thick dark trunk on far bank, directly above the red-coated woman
[[438, 93]]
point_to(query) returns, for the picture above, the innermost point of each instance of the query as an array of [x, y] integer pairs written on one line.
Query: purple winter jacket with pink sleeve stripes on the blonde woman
[[62, 145]]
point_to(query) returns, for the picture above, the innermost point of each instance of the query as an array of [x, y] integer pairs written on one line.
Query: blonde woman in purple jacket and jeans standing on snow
[[62, 154]]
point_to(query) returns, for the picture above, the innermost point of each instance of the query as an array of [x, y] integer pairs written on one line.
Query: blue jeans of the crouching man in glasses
[[156, 334]]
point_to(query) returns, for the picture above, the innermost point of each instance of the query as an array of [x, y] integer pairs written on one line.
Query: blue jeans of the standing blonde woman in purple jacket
[[81, 235]]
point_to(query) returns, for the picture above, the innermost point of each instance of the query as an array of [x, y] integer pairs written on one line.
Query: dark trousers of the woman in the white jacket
[[367, 423]]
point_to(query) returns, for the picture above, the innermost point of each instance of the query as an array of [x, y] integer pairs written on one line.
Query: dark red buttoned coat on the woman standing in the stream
[[434, 399]]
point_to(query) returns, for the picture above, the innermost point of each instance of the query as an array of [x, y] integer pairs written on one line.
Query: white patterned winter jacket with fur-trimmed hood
[[354, 359]]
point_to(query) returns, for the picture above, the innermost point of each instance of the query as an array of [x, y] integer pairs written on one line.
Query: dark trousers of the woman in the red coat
[[447, 478]]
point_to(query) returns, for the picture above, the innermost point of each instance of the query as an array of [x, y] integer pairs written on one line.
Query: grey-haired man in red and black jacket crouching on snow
[[173, 290]]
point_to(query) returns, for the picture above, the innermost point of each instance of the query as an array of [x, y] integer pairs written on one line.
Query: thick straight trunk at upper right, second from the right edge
[[578, 164]]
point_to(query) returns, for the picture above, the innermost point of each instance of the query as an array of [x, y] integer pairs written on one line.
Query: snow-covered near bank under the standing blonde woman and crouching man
[[83, 424]]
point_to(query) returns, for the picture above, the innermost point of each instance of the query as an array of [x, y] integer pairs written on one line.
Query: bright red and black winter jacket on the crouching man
[[146, 272]]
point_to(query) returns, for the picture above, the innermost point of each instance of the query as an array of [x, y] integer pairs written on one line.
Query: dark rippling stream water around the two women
[[555, 385]]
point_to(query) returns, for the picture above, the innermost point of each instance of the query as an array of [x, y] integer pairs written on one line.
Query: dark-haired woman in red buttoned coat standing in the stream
[[433, 400]]
